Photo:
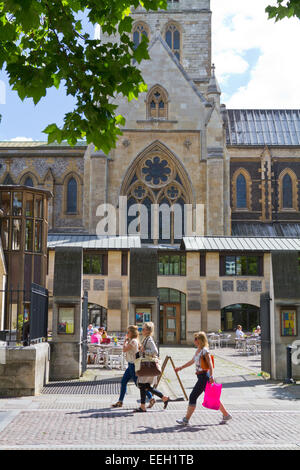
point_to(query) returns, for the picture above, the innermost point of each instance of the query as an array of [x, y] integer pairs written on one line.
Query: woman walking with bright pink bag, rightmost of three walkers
[[203, 374]]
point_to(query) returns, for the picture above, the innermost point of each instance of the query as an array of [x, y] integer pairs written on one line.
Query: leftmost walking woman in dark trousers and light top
[[130, 348]]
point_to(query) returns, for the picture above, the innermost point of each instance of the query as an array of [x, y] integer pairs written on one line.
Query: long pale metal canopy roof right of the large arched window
[[240, 244]]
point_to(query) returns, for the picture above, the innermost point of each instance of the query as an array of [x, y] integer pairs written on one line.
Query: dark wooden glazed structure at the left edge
[[24, 233]]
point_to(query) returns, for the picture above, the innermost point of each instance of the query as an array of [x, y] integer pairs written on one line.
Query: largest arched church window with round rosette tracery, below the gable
[[157, 193]]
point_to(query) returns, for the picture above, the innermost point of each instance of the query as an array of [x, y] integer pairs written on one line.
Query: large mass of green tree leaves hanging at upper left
[[42, 44]]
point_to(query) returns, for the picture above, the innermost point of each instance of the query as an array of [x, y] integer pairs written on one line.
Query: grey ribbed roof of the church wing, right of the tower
[[249, 127]]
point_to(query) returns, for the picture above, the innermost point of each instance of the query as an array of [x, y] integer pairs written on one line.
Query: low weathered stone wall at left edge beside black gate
[[23, 370]]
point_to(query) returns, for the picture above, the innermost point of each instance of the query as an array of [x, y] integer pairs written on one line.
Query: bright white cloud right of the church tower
[[239, 26]]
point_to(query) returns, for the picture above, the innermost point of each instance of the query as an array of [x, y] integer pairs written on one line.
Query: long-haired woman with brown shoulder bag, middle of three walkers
[[146, 384]]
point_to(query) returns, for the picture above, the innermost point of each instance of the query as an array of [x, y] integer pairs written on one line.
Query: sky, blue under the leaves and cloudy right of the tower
[[255, 65]]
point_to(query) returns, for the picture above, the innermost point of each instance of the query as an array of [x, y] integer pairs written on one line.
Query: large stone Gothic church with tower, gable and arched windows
[[234, 174]]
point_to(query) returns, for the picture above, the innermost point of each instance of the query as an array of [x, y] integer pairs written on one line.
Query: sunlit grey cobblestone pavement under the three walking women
[[265, 415]]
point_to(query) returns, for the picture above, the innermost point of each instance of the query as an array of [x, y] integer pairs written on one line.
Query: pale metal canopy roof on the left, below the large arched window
[[93, 241]]
